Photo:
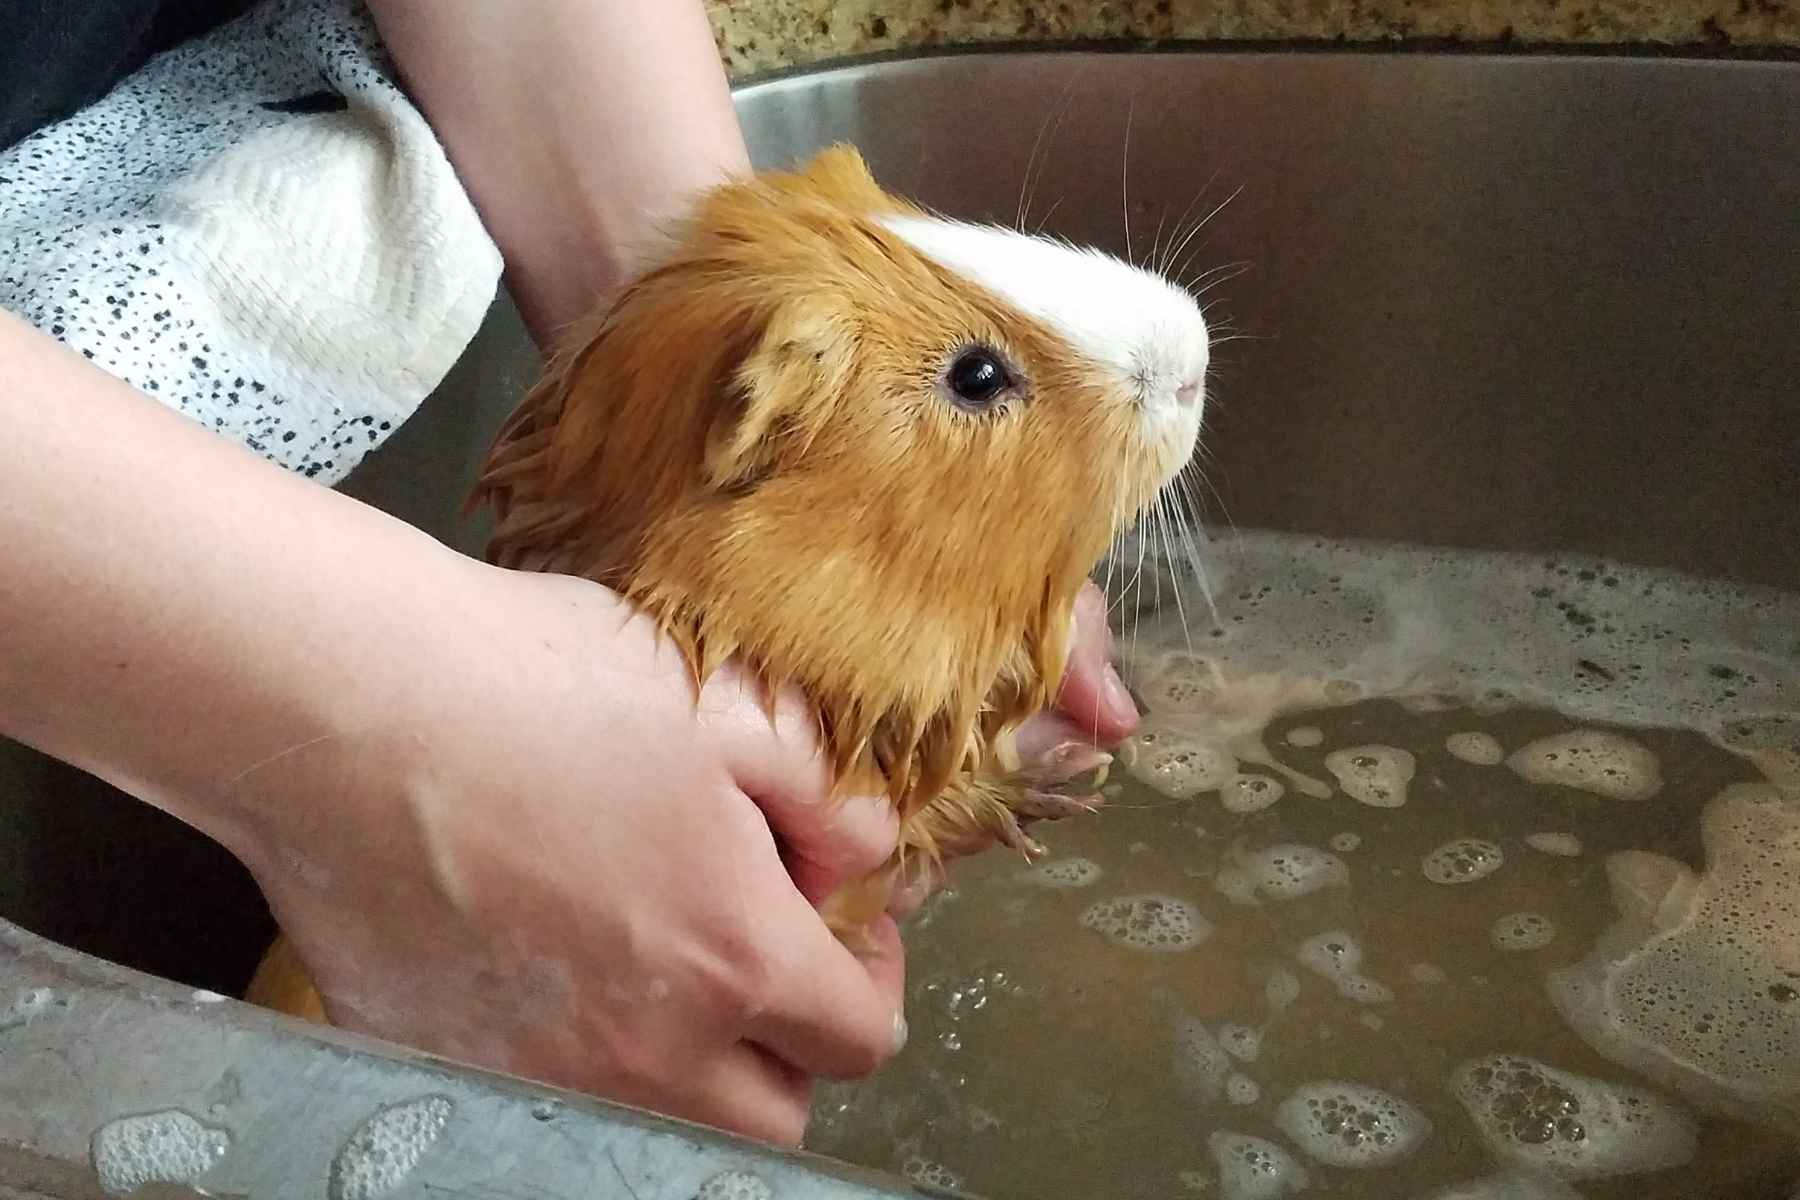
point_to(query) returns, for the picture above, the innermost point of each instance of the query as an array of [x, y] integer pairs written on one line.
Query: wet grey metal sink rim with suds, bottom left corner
[[129, 1086]]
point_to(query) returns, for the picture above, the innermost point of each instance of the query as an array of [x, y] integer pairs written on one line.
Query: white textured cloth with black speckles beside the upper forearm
[[222, 231]]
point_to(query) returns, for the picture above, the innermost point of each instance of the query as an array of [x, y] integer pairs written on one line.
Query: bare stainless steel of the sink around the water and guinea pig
[[1497, 303]]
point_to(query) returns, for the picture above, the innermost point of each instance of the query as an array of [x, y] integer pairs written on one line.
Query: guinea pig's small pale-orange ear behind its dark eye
[[780, 397]]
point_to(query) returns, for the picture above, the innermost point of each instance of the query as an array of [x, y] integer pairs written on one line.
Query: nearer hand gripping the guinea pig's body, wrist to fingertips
[[543, 857]]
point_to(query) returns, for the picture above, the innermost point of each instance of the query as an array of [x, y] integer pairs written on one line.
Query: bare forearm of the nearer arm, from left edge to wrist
[[174, 609]]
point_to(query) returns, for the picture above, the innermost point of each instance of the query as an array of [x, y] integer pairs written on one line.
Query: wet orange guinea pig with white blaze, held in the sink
[[867, 451]]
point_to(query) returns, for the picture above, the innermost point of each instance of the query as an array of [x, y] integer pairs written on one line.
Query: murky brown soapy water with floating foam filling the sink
[[1522, 918]]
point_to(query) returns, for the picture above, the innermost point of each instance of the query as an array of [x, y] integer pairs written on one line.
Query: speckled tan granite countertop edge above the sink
[[768, 35]]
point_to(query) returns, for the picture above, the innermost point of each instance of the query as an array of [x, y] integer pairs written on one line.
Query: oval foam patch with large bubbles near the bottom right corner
[[1538, 1118]]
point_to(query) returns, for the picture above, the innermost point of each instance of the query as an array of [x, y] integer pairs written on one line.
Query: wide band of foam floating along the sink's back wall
[[1594, 640]]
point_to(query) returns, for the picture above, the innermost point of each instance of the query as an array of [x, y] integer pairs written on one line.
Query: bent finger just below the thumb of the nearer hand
[[836, 1016]]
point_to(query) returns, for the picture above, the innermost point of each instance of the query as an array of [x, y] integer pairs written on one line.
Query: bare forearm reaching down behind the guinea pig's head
[[575, 132]]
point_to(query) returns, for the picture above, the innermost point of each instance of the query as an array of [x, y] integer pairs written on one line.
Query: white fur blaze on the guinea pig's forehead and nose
[[1126, 319]]
